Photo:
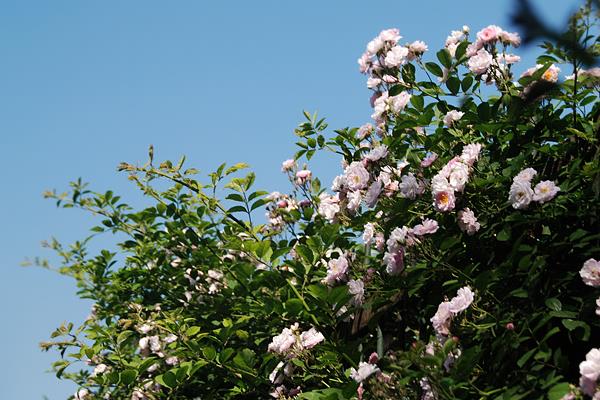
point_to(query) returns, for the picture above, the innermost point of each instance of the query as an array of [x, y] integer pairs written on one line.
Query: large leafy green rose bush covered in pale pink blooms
[[453, 257]]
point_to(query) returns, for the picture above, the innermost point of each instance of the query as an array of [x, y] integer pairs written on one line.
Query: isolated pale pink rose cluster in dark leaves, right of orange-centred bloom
[[521, 193]]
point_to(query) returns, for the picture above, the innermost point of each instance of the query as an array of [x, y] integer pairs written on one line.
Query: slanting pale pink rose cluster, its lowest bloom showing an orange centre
[[453, 177]]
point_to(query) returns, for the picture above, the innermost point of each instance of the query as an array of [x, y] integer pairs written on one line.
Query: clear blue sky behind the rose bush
[[85, 85]]
